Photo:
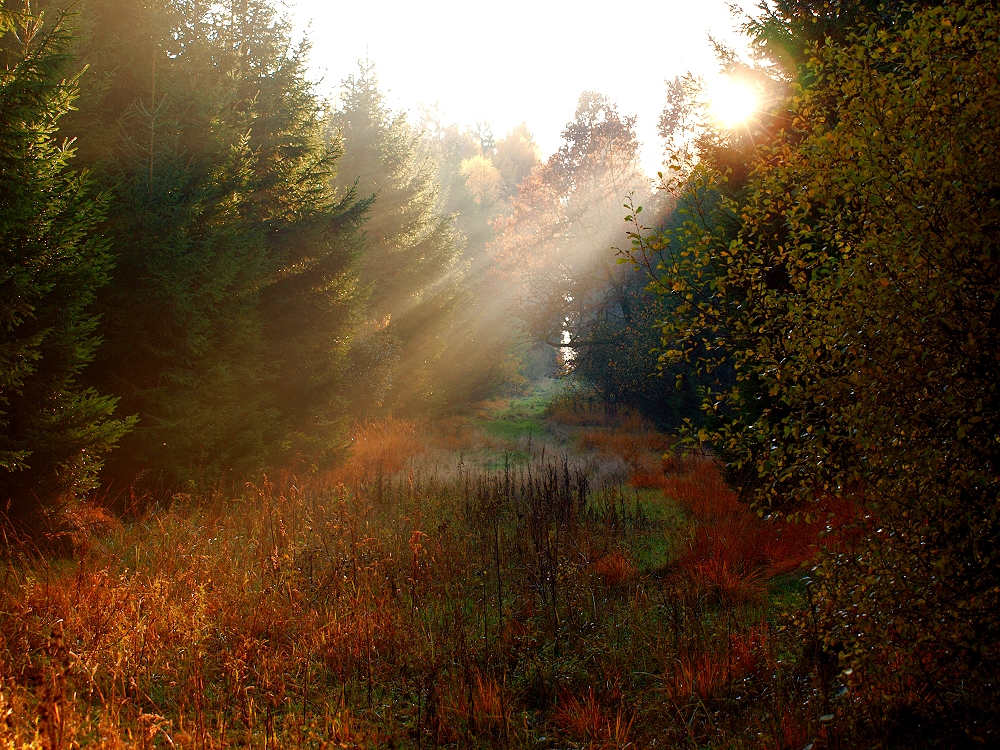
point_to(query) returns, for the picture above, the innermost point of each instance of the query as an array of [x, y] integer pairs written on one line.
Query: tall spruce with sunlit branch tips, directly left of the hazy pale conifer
[[310, 229]]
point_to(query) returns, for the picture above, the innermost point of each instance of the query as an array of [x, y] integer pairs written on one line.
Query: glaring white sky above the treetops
[[520, 60]]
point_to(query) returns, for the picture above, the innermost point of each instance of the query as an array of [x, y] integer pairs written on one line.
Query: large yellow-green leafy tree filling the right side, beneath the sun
[[852, 282]]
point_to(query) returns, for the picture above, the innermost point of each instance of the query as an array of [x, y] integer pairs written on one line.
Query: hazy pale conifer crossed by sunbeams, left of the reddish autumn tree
[[410, 266]]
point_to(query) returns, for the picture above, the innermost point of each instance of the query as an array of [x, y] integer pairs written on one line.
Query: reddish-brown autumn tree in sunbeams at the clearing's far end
[[555, 245]]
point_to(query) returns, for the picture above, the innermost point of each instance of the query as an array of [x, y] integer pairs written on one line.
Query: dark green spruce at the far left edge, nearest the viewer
[[54, 432]]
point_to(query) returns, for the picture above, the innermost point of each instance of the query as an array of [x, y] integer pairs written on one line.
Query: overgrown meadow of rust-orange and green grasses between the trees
[[538, 574]]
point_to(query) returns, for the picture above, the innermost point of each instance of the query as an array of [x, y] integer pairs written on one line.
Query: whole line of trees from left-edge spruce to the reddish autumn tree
[[210, 270]]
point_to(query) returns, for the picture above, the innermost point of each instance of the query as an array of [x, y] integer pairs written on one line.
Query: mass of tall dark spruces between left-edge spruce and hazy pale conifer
[[228, 318]]
